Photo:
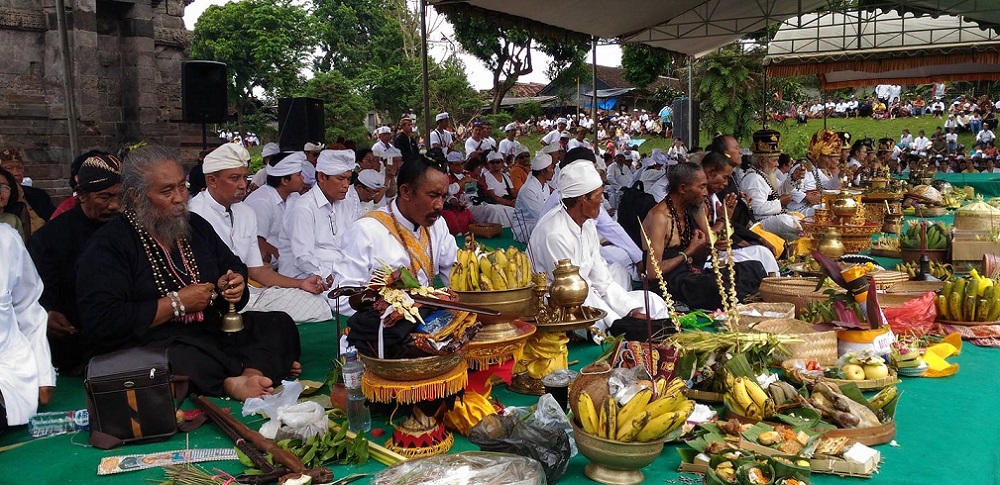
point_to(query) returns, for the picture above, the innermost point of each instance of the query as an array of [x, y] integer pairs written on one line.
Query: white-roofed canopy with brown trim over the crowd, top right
[[883, 47]]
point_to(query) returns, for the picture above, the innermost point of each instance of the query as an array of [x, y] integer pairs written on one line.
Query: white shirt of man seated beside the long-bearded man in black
[[237, 229]]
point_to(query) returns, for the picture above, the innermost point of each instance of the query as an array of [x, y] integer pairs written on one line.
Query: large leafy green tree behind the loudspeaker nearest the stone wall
[[265, 45]]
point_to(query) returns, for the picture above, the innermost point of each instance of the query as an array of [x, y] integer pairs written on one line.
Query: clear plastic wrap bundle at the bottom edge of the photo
[[466, 468]]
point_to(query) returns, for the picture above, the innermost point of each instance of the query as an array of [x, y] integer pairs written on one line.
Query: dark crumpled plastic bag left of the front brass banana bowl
[[508, 434]]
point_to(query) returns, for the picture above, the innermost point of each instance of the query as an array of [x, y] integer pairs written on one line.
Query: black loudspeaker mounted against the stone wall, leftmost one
[[203, 92]]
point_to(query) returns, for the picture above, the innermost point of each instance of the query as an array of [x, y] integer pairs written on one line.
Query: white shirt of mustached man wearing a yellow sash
[[369, 245]]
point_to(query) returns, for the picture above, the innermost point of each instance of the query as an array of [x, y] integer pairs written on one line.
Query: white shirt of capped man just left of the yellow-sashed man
[[310, 235]]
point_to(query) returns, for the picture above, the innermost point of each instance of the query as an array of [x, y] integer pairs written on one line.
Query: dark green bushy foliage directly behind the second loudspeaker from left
[[345, 105]]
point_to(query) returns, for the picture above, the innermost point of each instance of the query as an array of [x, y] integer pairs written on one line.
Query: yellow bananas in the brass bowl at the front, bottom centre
[[645, 417]]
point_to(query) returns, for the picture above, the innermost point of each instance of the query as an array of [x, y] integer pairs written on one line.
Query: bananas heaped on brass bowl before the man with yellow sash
[[478, 270]]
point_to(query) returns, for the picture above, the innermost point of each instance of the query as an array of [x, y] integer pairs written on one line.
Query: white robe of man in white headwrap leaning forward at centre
[[557, 237]]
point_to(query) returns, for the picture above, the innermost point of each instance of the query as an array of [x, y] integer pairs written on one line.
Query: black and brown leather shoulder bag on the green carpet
[[131, 397]]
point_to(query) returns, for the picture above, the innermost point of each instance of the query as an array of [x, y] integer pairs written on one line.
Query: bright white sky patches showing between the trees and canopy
[[440, 47]]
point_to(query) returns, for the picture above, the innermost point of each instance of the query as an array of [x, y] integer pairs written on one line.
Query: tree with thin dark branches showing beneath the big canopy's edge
[[506, 50]]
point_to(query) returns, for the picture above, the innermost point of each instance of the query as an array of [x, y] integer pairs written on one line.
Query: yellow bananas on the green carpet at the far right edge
[[972, 299]]
